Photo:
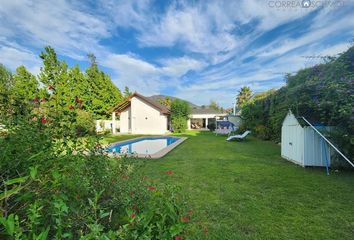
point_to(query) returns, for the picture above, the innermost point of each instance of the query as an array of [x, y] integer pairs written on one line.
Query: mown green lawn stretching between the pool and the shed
[[245, 190]]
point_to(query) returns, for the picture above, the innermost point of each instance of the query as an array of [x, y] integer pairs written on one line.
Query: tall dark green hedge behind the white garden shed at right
[[324, 94]]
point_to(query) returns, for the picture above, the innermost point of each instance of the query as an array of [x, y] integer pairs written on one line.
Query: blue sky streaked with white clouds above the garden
[[196, 50]]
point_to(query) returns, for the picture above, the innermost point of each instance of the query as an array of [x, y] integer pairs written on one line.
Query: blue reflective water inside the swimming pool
[[142, 145]]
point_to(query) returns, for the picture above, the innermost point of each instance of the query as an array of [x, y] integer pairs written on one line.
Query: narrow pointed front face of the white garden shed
[[292, 140]]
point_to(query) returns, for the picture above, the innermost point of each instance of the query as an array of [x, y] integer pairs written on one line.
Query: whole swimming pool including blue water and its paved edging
[[146, 146]]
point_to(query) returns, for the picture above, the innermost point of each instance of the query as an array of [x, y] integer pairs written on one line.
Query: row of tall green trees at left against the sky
[[93, 89]]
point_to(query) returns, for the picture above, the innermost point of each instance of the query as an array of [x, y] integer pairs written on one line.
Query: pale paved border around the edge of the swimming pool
[[156, 155]]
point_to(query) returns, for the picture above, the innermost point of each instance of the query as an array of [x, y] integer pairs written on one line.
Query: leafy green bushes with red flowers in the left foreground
[[58, 186]]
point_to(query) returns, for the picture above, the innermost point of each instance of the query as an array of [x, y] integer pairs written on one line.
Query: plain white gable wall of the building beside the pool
[[146, 119]]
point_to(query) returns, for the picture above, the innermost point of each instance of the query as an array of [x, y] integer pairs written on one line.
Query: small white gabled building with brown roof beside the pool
[[141, 115]]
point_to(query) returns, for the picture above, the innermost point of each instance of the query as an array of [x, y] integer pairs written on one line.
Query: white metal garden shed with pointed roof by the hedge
[[302, 144]]
